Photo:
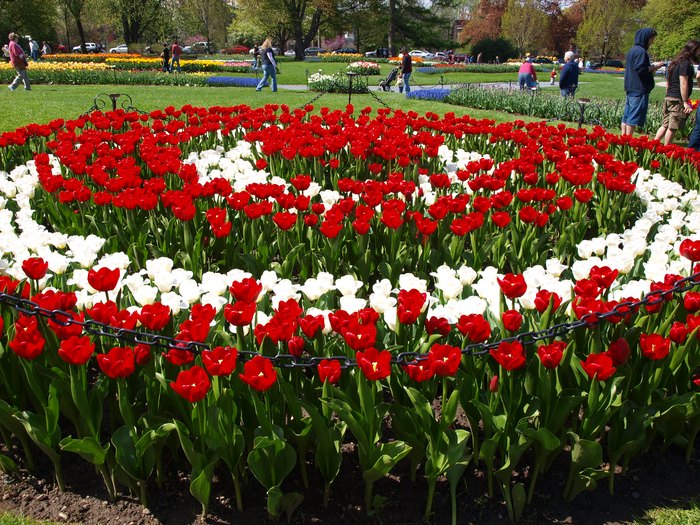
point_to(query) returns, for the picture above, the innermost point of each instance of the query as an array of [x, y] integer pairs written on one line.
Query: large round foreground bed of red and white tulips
[[240, 289]]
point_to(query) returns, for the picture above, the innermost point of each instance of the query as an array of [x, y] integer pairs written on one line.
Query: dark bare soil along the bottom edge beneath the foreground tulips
[[653, 480]]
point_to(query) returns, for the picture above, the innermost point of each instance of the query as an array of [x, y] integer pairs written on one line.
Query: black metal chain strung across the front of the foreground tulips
[[622, 310]]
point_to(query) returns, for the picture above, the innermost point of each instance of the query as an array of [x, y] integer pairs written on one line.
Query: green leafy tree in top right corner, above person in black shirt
[[675, 21]]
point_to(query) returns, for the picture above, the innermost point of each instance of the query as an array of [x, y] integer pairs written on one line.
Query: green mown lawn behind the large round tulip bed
[[47, 102]]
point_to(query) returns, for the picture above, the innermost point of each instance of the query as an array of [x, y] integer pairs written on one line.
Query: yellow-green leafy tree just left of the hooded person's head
[[605, 25]]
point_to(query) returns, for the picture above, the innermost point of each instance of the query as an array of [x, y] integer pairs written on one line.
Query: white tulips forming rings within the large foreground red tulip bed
[[670, 211]]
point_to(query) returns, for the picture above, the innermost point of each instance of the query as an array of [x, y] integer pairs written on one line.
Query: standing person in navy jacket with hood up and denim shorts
[[639, 80]]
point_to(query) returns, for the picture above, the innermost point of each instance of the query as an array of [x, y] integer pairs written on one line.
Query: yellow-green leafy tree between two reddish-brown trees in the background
[[524, 24]]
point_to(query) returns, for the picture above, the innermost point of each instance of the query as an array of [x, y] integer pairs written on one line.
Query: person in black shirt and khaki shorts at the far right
[[679, 86]]
